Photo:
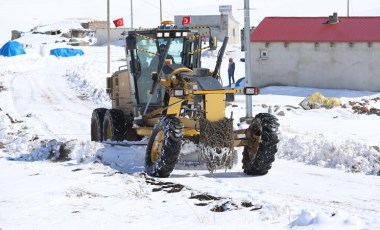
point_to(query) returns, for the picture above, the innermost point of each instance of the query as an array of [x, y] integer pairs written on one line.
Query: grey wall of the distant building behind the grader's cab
[[221, 26]]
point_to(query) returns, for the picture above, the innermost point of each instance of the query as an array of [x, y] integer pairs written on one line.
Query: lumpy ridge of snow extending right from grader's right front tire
[[348, 155]]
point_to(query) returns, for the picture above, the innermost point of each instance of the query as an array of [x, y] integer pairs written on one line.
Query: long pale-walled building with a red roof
[[320, 52]]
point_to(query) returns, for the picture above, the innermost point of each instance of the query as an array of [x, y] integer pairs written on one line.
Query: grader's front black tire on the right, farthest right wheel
[[264, 126]]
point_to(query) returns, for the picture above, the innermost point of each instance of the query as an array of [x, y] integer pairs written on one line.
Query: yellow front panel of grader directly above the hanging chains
[[215, 107]]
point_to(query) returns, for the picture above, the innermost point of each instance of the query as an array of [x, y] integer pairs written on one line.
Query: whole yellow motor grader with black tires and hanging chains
[[165, 95]]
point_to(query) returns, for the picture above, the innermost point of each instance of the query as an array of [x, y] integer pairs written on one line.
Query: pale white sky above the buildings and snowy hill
[[23, 15]]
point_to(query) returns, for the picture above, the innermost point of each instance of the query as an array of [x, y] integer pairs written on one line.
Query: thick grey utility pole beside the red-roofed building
[[248, 79]]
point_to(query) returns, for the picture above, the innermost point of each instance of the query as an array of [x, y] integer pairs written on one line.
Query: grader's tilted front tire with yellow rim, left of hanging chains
[[164, 147]]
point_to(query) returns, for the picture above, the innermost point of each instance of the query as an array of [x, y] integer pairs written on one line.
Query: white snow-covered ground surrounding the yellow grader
[[325, 175]]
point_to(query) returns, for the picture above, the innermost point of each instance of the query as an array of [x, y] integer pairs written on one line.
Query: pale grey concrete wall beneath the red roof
[[318, 65]]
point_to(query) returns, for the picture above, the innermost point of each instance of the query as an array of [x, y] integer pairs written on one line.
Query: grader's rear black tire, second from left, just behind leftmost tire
[[114, 125]]
